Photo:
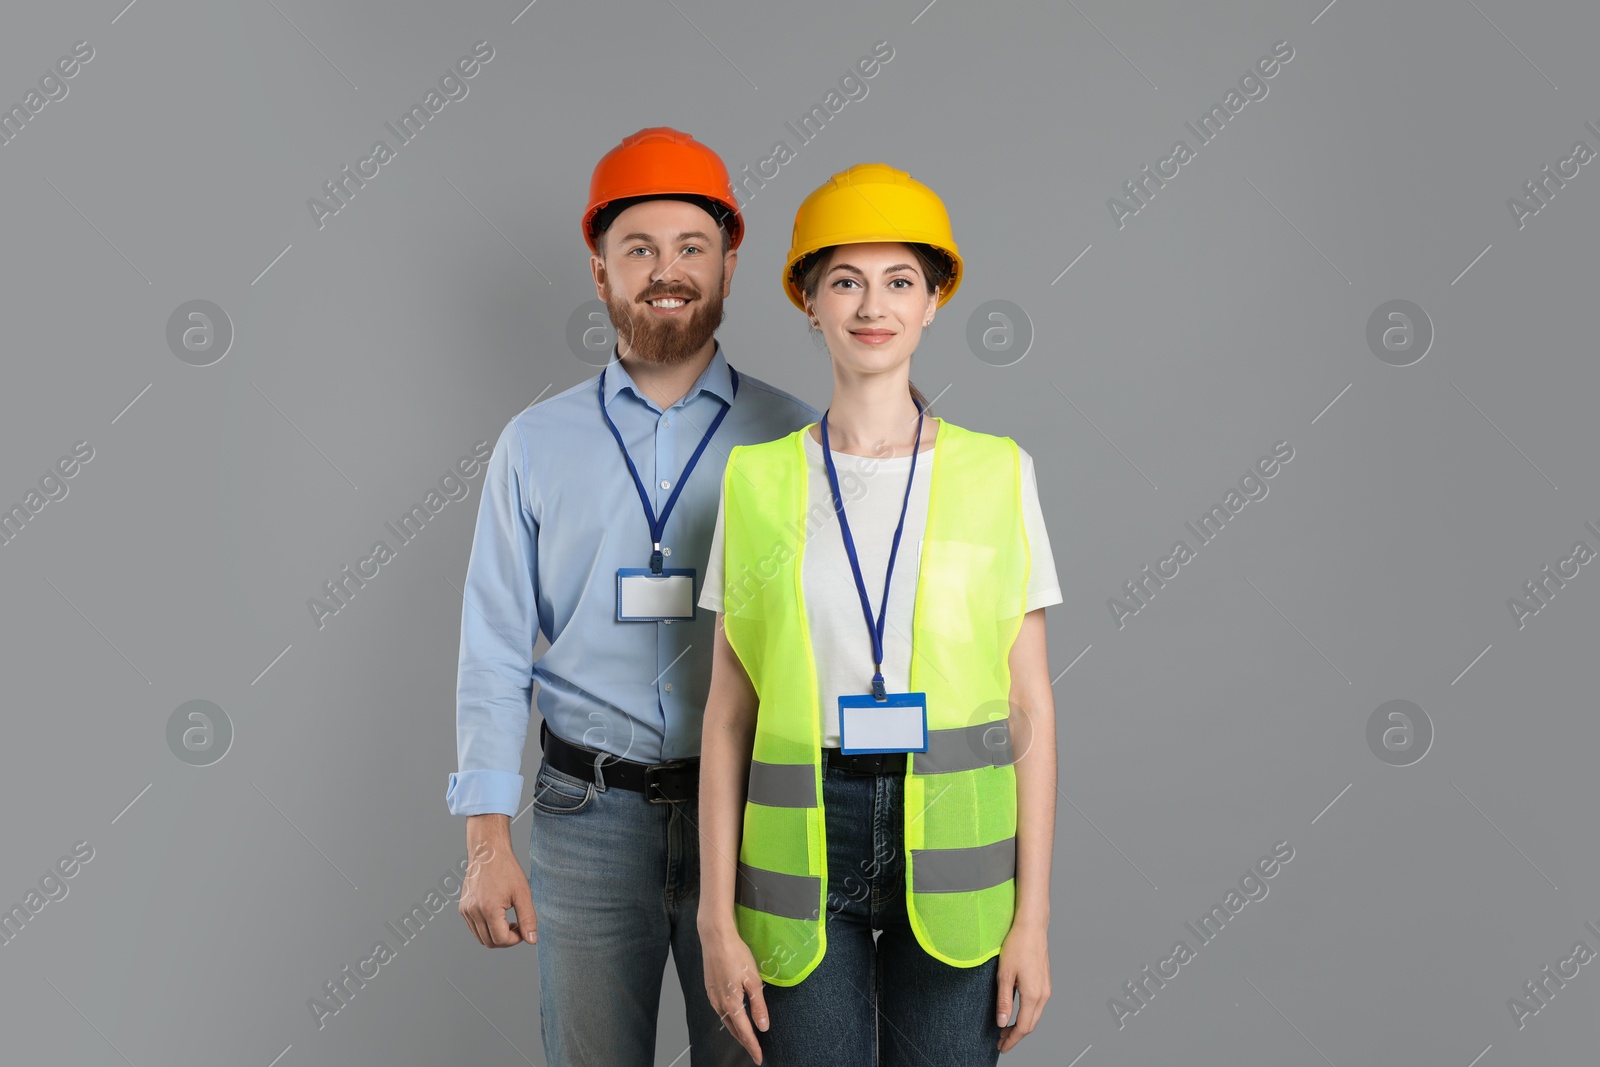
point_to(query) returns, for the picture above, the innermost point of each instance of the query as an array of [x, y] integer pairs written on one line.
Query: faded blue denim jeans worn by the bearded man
[[615, 884]]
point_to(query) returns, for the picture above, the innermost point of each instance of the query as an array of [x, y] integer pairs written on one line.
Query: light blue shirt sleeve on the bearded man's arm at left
[[500, 628]]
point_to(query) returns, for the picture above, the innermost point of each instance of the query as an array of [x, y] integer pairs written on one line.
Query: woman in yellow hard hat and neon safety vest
[[890, 757]]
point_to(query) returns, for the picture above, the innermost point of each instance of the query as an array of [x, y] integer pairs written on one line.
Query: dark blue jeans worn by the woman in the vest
[[887, 1004]]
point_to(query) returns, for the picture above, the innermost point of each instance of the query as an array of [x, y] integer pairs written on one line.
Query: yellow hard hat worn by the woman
[[871, 202]]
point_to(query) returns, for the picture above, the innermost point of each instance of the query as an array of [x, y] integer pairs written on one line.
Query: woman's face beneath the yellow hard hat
[[873, 305]]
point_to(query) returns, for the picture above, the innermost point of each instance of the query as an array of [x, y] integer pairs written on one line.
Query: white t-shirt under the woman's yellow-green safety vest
[[873, 503]]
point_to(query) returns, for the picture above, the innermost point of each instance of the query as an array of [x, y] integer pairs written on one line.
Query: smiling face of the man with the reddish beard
[[665, 250]]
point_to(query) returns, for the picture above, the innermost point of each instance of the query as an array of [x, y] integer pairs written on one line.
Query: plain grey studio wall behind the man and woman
[[1226, 316]]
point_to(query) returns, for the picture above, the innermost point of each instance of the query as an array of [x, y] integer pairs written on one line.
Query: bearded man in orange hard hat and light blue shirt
[[594, 529]]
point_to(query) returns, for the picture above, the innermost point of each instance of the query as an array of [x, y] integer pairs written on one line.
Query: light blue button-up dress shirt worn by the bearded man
[[558, 519]]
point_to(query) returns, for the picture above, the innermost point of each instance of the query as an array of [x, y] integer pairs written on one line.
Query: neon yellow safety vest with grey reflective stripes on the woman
[[961, 794]]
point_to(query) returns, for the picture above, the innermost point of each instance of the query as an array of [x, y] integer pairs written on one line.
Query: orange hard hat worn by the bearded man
[[663, 162]]
